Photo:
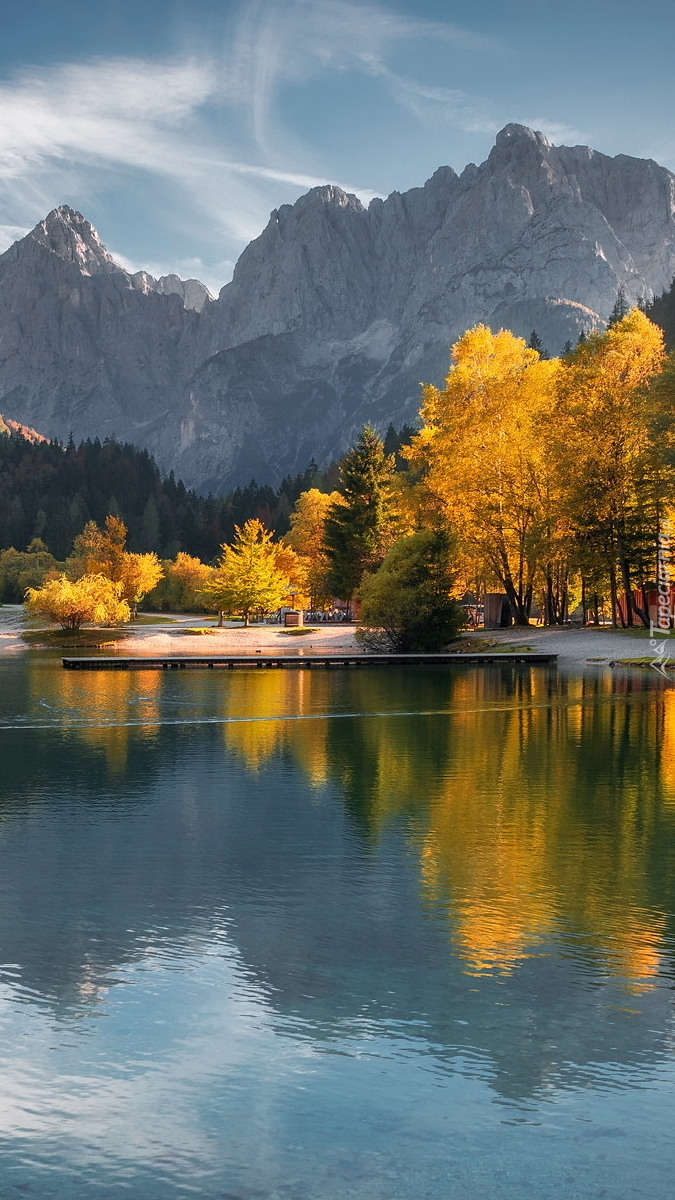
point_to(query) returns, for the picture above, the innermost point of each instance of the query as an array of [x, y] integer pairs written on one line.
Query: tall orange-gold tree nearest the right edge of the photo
[[611, 439]]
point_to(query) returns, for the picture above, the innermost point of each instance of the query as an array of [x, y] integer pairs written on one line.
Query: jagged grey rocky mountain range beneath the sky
[[336, 314]]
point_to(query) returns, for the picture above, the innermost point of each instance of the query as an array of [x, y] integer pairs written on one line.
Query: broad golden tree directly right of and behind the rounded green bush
[[485, 472]]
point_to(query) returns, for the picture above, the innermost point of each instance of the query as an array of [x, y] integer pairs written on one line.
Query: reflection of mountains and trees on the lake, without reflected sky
[[493, 874]]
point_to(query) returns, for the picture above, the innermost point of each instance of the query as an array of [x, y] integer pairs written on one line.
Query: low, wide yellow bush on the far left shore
[[71, 604]]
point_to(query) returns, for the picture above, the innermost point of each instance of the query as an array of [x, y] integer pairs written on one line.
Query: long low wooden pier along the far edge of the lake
[[290, 662]]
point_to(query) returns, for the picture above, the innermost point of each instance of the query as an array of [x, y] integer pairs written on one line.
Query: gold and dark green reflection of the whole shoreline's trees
[[540, 806]]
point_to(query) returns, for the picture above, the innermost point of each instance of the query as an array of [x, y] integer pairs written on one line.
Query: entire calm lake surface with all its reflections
[[318, 937]]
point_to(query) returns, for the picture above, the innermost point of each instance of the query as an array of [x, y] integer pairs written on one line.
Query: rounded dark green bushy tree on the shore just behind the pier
[[407, 605]]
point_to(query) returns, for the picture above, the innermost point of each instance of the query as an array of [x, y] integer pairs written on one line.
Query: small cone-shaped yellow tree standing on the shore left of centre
[[248, 579]]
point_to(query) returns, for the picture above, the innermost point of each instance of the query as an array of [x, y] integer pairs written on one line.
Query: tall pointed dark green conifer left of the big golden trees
[[359, 527]]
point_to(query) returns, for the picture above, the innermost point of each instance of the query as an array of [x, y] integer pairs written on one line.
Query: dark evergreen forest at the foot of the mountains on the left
[[51, 491]]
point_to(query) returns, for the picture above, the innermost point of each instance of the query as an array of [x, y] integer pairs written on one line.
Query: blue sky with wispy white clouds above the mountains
[[177, 128]]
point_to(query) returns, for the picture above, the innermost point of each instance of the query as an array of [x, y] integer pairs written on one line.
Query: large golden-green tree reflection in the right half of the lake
[[535, 803]]
